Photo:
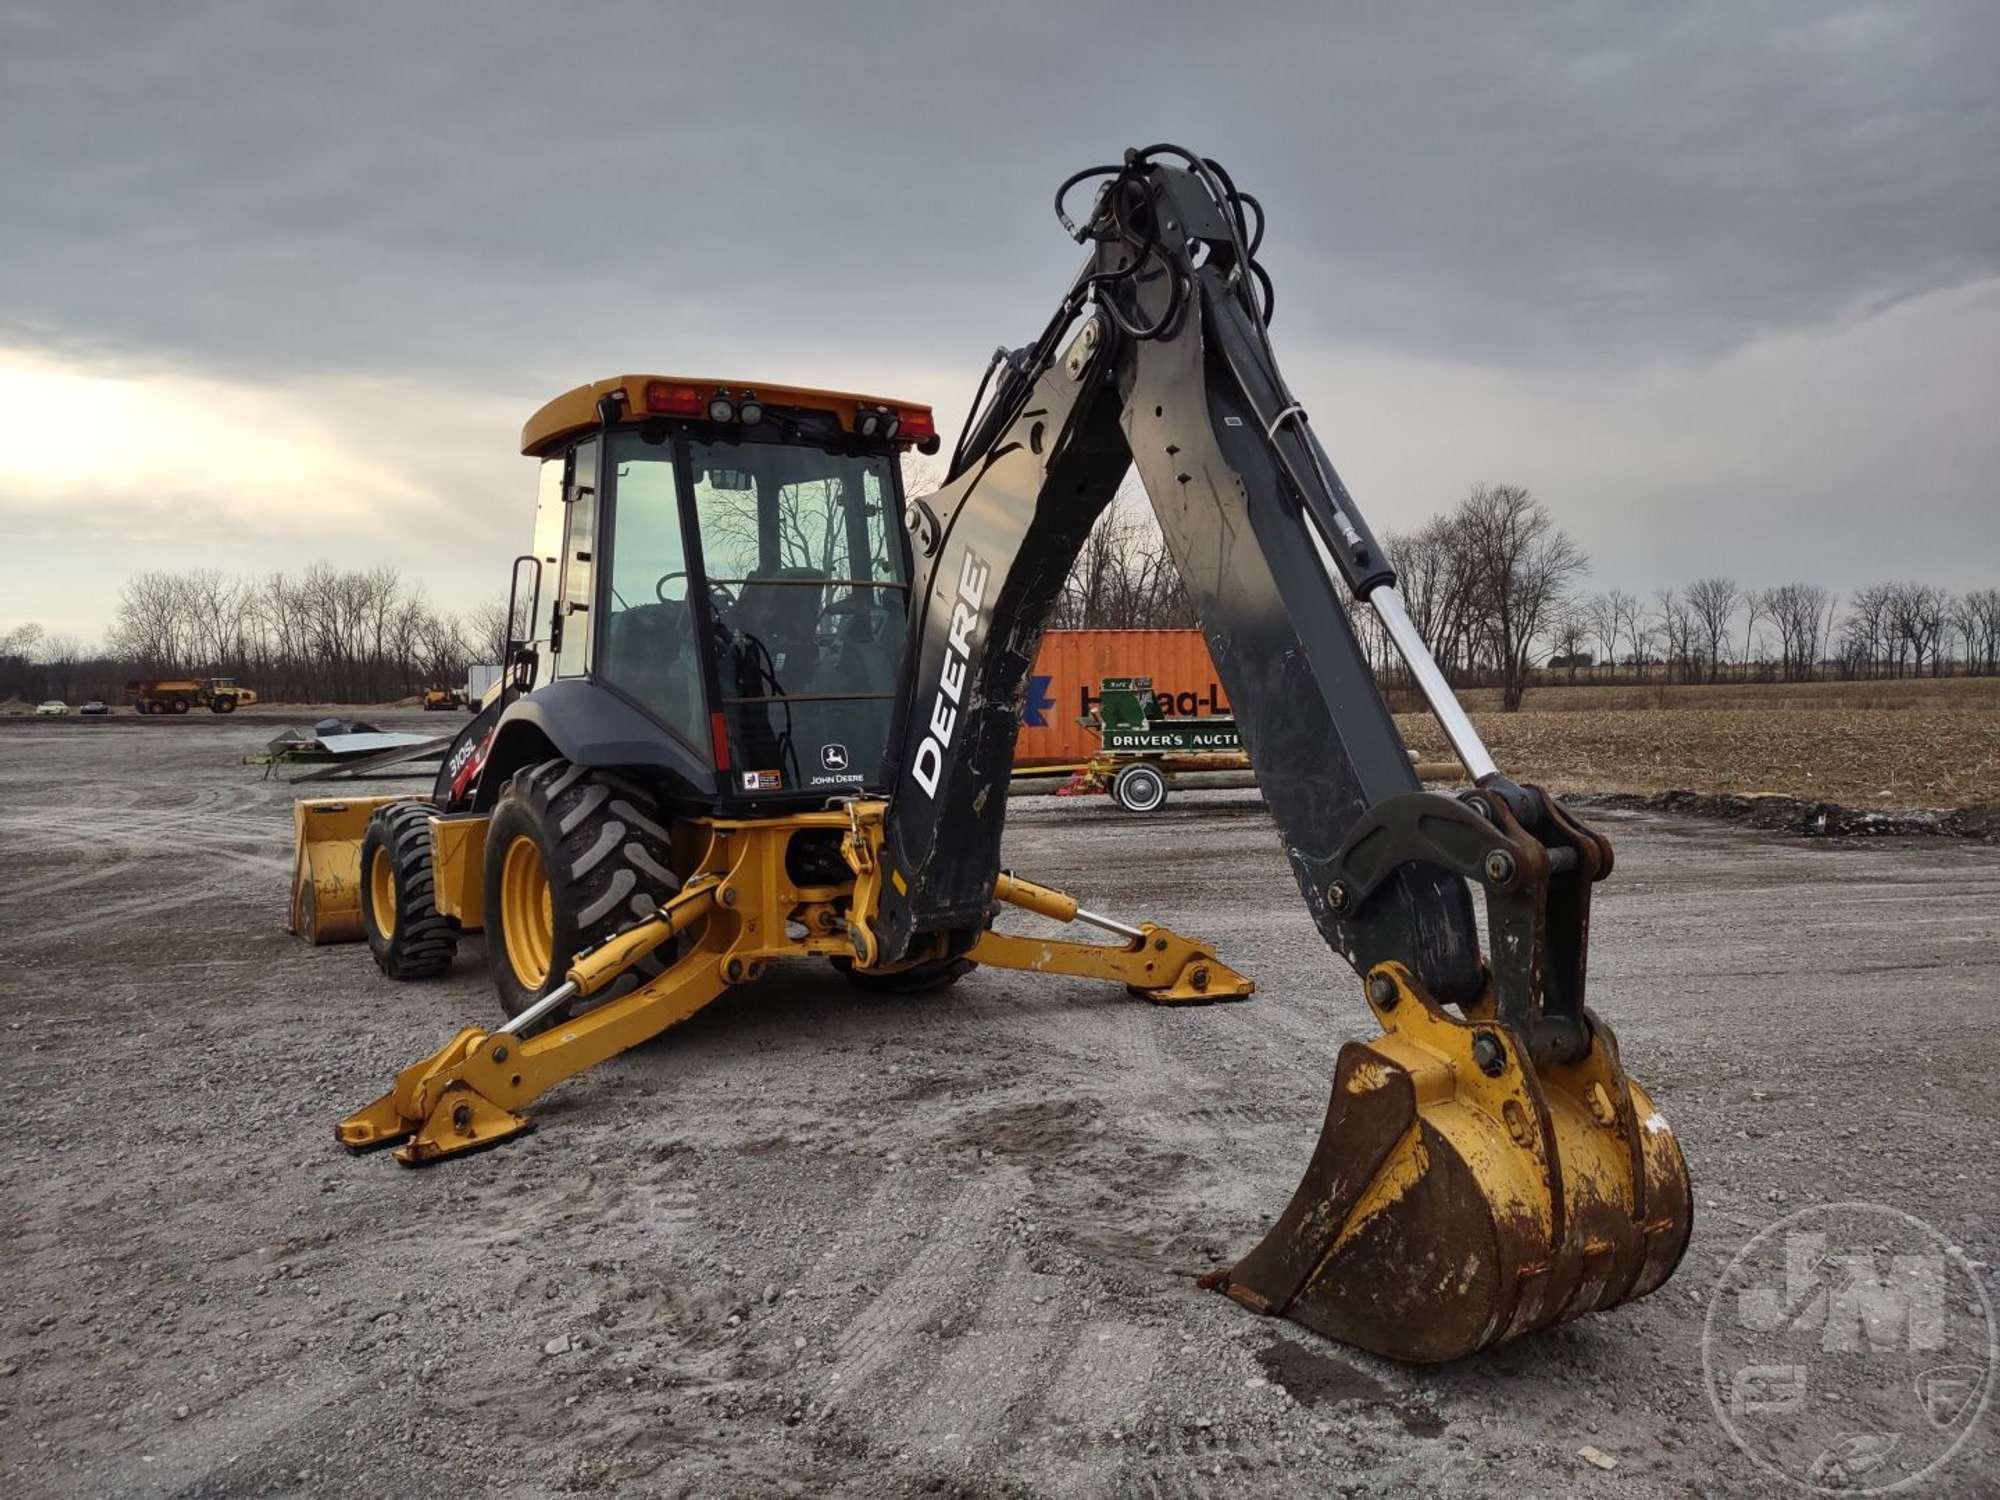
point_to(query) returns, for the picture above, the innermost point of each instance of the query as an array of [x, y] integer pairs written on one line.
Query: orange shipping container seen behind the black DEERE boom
[[1071, 665]]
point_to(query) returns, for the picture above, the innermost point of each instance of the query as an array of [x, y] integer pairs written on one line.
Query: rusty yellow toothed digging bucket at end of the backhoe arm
[[1463, 1195]]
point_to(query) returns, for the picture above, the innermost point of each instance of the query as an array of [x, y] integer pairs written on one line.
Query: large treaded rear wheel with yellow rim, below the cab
[[573, 857]]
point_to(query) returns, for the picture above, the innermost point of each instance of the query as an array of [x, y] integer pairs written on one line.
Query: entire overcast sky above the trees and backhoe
[[281, 283]]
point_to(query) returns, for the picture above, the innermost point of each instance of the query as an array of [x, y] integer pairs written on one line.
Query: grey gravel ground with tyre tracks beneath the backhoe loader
[[825, 1245]]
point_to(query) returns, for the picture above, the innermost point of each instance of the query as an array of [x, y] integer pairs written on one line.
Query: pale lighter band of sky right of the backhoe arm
[[1839, 455]]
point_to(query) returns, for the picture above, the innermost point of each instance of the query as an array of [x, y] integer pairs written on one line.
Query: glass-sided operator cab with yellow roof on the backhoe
[[729, 563]]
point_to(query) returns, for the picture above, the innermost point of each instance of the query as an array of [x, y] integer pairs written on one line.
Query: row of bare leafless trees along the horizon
[[1495, 587]]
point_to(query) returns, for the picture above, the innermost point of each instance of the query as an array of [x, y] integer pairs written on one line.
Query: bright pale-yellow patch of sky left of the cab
[[113, 469]]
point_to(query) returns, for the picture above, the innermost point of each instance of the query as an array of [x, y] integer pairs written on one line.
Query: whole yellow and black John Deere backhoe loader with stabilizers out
[[765, 709]]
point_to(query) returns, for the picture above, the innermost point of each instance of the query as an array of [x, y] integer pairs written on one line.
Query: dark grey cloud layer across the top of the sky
[[401, 187]]
